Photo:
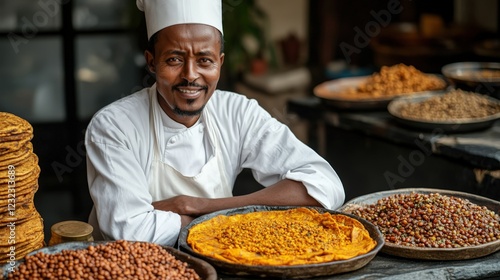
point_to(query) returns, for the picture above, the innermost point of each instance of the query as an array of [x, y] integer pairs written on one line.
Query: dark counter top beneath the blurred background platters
[[480, 149]]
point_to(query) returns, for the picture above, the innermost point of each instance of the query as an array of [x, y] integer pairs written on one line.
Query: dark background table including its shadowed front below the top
[[371, 151]]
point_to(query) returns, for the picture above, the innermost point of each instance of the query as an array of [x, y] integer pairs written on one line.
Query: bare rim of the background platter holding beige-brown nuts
[[452, 126]]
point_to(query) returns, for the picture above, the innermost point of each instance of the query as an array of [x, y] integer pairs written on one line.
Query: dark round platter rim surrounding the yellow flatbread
[[291, 271]]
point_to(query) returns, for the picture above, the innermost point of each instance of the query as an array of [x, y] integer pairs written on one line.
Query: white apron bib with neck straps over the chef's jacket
[[166, 182]]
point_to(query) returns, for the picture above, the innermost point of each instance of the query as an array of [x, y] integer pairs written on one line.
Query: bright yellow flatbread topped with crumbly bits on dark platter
[[282, 237]]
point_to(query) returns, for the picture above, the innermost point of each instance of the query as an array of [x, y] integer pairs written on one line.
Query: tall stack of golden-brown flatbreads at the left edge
[[21, 226]]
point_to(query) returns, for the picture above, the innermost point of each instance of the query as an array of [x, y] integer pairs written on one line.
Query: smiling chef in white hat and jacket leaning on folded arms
[[166, 154]]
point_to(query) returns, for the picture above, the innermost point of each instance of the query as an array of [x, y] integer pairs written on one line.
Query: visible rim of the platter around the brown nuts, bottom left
[[202, 268]]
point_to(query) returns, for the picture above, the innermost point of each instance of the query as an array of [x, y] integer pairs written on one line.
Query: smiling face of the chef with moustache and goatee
[[187, 62]]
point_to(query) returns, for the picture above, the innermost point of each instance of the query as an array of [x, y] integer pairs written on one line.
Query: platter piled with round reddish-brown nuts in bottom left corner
[[109, 260]]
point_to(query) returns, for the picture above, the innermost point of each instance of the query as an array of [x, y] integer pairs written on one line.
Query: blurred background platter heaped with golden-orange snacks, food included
[[374, 92]]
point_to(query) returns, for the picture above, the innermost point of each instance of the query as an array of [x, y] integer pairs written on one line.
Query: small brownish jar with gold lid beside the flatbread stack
[[70, 231]]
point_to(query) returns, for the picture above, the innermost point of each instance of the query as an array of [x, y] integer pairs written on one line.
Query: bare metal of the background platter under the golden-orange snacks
[[330, 93]]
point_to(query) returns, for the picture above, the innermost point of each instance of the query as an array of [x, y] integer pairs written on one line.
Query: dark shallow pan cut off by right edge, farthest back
[[481, 77]]
